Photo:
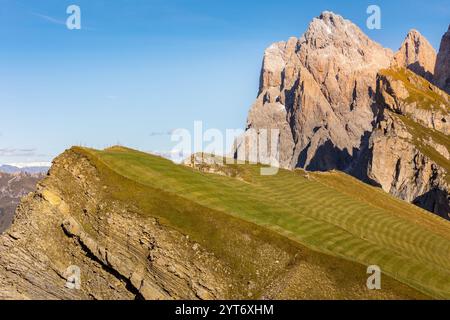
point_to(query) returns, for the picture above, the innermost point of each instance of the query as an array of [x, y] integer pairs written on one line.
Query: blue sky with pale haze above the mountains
[[140, 68]]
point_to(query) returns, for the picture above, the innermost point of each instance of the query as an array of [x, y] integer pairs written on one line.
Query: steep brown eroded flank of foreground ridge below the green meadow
[[81, 215]]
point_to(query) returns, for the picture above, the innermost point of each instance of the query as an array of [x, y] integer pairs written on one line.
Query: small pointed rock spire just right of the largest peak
[[416, 54]]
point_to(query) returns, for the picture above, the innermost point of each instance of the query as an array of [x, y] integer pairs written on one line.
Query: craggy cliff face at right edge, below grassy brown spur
[[401, 169]]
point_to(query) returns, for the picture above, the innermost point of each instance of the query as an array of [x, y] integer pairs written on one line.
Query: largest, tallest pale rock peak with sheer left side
[[318, 92]]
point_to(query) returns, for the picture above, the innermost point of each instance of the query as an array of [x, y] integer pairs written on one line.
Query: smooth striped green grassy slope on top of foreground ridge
[[330, 213]]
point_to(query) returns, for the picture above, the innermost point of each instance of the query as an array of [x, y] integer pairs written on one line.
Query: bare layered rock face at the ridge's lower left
[[121, 254]]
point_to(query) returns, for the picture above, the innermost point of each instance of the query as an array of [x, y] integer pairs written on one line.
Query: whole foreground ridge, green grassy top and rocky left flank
[[80, 210]]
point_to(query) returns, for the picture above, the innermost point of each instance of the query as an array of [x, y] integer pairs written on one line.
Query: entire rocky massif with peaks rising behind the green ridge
[[320, 93]]
